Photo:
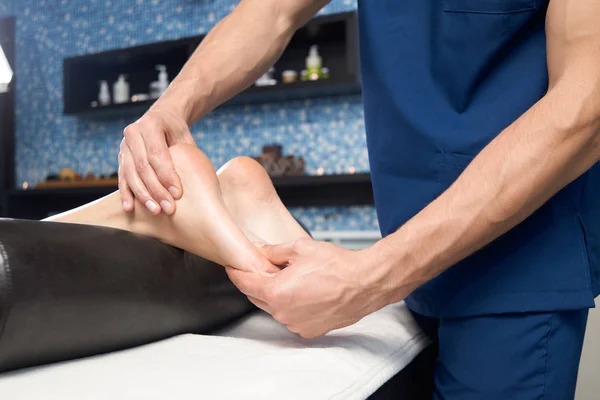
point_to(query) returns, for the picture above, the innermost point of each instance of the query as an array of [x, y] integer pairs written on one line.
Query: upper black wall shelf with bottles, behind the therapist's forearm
[[334, 35]]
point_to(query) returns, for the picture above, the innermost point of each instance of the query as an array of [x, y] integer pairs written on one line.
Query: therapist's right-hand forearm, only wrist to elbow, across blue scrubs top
[[551, 145]]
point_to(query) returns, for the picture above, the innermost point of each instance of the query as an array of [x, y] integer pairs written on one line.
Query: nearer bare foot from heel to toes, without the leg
[[202, 223]]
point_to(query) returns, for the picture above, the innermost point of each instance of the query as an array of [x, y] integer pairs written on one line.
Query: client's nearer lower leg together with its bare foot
[[202, 224]]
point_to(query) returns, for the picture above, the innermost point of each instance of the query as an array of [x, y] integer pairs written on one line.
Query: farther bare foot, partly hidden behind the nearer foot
[[253, 203]]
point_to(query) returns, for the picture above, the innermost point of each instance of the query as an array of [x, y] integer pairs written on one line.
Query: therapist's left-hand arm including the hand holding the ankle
[[231, 57]]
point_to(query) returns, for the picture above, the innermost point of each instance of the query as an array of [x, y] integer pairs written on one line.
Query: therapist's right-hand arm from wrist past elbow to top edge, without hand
[[548, 147]]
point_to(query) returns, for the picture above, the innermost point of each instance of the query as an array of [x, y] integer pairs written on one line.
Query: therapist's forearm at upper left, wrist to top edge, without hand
[[234, 54]]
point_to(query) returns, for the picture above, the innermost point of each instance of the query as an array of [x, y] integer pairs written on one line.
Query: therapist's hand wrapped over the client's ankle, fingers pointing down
[[145, 167]]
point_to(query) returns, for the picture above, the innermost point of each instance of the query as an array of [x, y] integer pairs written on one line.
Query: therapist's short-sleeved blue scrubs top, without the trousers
[[442, 78]]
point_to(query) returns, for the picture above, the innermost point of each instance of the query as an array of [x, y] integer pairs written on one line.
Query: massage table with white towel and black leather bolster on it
[[96, 313]]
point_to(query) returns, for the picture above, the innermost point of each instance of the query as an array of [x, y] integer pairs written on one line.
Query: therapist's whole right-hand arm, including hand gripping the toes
[[325, 286]]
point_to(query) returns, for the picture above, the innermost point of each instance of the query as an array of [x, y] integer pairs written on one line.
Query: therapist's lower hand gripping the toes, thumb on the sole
[[323, 287]]
